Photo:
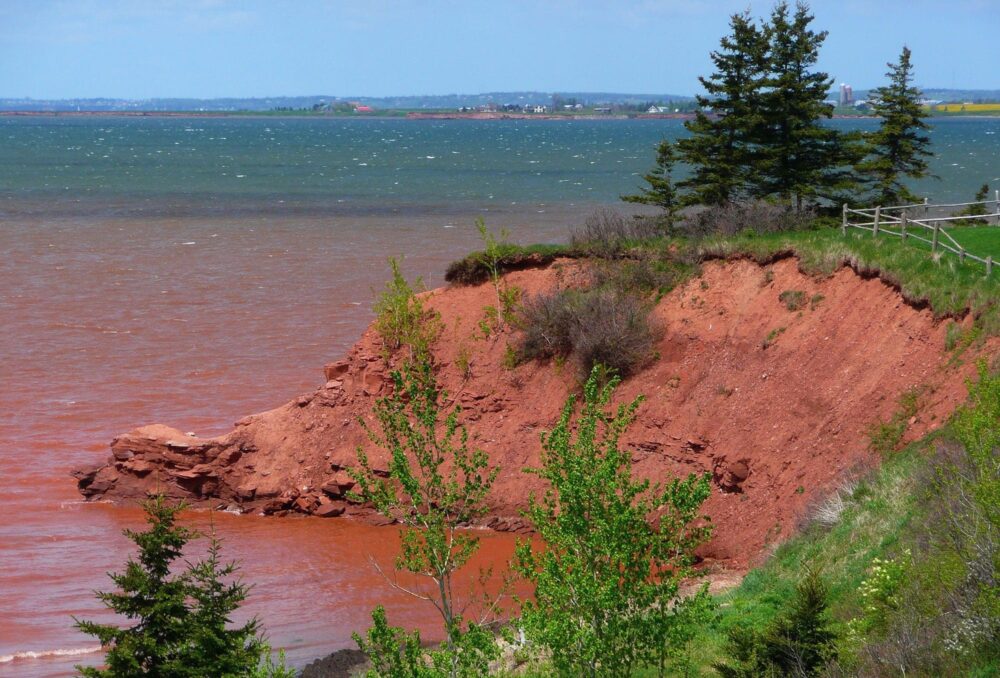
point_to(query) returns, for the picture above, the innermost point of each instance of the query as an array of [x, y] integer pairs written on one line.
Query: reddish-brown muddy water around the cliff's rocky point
[[110, 323]]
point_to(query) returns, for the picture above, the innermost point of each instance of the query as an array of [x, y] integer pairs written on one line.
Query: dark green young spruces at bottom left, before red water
[[182, 620]]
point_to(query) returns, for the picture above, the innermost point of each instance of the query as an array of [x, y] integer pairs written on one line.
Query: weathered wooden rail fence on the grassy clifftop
[[900, 221]]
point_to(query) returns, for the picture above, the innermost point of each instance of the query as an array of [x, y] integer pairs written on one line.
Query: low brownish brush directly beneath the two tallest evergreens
[[747, 217]]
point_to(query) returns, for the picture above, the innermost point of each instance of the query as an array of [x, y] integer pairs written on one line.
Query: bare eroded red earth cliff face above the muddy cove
[[778, 425]]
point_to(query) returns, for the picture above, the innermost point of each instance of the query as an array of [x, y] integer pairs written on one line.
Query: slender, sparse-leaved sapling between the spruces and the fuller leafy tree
[[436, 486]]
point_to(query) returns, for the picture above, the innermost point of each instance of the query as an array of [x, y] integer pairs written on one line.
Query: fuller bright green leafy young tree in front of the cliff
[[615, 548]]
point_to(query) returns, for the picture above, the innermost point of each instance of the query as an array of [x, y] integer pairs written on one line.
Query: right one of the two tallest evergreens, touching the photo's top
[[799, 158]]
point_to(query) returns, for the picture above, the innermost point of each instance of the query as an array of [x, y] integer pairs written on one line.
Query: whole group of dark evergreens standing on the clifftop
[[759, 134]]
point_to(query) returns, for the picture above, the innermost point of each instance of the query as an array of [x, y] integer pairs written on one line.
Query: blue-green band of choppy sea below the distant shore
[[192, 166]]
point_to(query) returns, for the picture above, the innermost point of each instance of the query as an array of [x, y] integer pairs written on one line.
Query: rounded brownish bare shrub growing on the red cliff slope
[[603, 326]]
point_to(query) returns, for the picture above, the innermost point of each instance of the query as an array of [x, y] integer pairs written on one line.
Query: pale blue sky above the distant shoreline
[[137, 49]]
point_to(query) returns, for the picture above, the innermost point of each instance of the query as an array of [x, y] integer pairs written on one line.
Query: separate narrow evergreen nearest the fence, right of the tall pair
[[899, 149]]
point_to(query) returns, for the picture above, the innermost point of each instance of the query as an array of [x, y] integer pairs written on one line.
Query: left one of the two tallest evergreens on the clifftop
[[721, 148]]
